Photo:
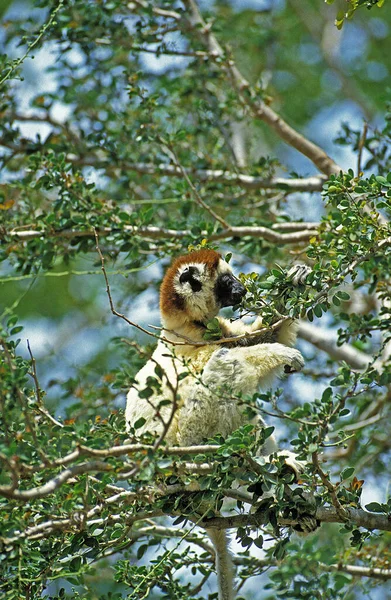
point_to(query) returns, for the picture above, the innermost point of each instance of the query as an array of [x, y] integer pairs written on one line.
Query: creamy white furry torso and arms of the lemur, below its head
[[208, 398]]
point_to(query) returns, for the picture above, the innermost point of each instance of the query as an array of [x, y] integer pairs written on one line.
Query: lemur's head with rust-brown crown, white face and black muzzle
[[196, 286]]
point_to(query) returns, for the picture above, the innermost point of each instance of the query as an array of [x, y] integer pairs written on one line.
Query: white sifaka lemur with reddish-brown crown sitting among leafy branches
[[205, 382]]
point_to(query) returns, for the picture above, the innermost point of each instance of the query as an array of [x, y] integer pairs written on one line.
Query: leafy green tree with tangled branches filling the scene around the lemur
[[145, 129]]
